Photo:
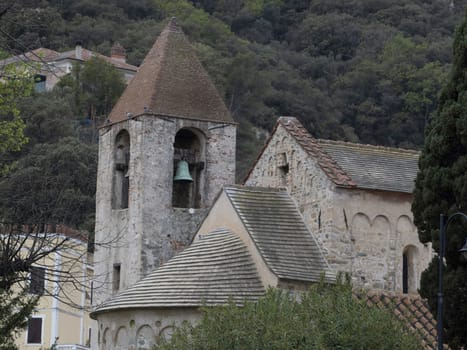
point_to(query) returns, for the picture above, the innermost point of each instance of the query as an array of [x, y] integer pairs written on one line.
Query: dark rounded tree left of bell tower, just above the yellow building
[[53, 183]]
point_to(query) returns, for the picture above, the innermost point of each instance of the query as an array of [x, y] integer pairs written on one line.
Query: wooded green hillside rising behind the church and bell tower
[[365, 71]]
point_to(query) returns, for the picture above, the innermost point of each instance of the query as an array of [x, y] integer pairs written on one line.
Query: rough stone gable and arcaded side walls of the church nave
[[362, 232]]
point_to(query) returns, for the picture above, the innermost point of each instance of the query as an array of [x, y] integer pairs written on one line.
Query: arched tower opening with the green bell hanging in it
[[188, 169]]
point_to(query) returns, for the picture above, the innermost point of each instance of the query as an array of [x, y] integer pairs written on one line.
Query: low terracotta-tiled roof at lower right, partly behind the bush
[[411, 309]]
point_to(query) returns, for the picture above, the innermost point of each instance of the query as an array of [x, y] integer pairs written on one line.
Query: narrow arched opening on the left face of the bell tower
[[121, 179]]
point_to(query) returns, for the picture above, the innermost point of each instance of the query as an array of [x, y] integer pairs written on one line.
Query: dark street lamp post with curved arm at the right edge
[[443, 225]]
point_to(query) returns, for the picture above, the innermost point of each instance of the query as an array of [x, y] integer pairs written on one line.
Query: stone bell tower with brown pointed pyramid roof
[[170, 112]]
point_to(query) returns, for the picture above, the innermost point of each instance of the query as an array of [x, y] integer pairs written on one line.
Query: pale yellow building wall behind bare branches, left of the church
[[65, 320]]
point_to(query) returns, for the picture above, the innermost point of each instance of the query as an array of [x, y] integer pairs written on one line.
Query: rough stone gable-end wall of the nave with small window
[[309, 186]]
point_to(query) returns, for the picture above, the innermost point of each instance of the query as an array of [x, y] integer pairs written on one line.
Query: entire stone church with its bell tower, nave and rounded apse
[[174, 233]]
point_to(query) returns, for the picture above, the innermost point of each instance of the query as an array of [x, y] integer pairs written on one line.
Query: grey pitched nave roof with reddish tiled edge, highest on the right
[[357, 165]]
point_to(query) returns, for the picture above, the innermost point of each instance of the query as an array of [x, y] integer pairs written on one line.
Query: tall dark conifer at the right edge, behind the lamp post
[[441, 188]]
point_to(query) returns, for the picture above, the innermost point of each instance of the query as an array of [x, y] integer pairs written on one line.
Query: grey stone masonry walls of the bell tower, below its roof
[[150, 231]]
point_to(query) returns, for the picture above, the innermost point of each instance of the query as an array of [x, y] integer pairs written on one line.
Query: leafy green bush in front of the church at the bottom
[[325, 317]]
